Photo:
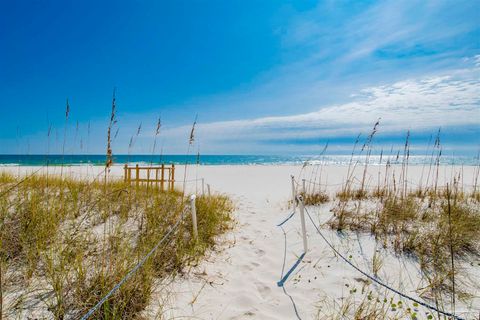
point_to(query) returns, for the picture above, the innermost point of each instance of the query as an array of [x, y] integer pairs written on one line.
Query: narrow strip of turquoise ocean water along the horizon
[[41, 160]]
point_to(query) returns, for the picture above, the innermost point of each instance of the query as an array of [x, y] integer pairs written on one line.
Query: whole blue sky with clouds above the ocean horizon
[[263, 76]]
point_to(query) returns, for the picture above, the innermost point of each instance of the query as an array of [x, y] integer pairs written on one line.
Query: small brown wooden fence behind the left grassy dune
[[161, 176]]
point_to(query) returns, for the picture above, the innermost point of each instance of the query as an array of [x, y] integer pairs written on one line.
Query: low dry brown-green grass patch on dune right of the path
[[431, 229]]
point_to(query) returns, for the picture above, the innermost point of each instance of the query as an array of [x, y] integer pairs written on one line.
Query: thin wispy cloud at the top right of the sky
[[381, 25]]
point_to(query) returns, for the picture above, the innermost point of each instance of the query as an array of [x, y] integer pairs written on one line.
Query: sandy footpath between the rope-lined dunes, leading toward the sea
[[243, 276]]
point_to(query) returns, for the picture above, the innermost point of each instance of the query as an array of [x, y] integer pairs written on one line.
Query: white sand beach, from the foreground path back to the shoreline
[[239, 279]]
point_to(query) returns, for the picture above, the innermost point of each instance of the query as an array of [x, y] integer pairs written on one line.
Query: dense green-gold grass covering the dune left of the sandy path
[[65, 243]]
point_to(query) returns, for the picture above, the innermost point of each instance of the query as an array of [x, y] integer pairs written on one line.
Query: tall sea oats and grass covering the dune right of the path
[[433, 223]]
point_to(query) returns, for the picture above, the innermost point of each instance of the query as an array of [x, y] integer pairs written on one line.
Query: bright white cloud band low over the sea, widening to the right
[[449, 100]]
